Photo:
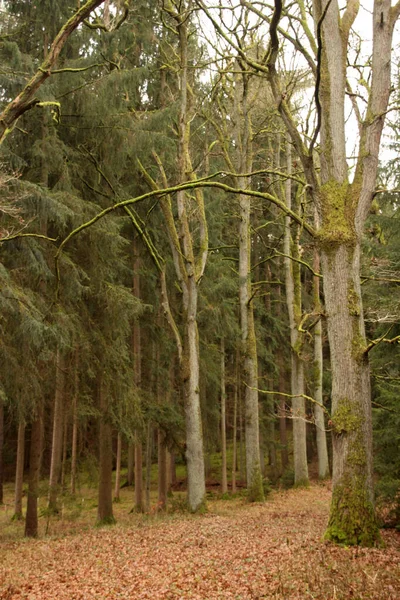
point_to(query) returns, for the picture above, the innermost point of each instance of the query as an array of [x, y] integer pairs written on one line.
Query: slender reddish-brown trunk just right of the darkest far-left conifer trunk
[[58, 418]]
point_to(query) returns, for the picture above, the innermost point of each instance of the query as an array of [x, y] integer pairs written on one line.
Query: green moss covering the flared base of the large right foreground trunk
[[352, 519]]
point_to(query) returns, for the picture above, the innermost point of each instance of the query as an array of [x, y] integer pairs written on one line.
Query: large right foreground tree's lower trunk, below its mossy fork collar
[[352, 518]]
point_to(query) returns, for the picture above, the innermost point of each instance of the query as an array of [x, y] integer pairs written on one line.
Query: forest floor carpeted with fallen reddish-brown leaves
[[235, 551]]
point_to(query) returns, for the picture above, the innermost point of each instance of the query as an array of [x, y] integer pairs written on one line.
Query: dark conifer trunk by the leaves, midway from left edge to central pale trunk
[[105, 514]]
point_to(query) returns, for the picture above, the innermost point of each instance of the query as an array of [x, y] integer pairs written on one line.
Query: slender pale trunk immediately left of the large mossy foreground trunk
[[322, 447]]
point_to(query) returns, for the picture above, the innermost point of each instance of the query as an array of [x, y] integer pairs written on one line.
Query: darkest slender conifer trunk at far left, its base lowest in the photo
[[35, 457]]
